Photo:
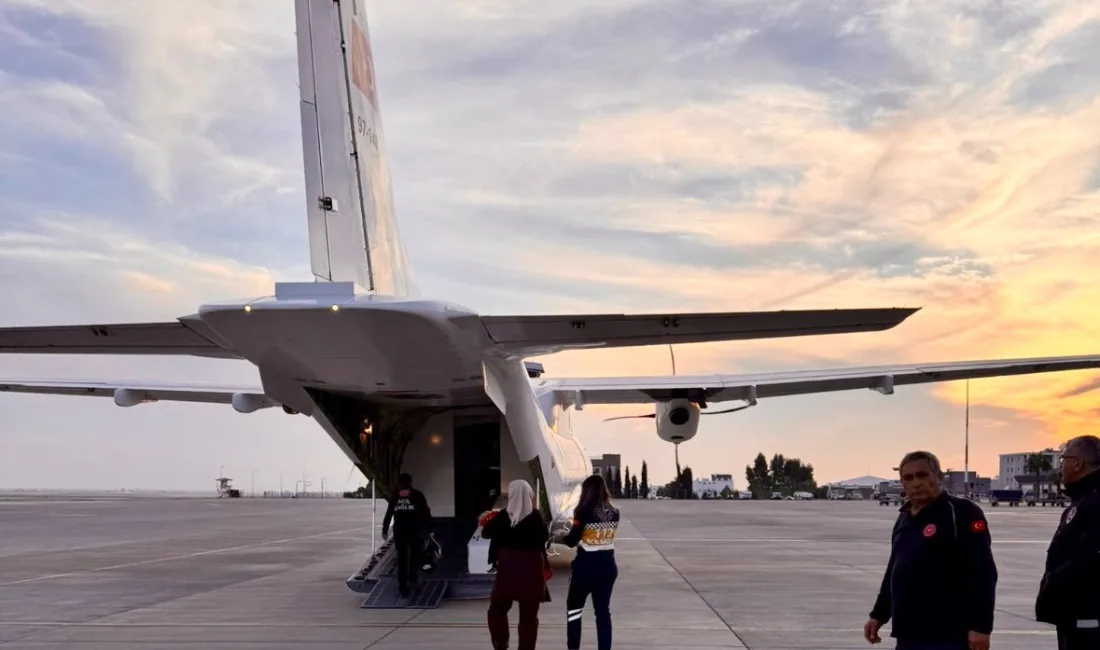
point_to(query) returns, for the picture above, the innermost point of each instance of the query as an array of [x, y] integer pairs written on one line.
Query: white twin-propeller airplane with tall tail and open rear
[[403, 383]]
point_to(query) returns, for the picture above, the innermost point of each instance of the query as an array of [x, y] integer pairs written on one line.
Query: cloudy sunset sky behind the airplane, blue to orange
[[577, 157]]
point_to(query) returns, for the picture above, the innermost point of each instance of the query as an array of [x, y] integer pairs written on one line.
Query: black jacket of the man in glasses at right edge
[[1069, 591]]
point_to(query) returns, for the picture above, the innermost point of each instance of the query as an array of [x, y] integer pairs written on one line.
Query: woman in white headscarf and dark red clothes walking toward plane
[[520, 536]]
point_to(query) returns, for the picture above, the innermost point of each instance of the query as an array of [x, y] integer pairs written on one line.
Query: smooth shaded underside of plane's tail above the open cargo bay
[[356, 349]]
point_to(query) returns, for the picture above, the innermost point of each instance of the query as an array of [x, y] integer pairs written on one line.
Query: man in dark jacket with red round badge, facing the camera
[[941, 579]]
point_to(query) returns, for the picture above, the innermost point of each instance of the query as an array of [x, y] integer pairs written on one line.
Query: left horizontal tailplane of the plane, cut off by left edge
[[149, 338]]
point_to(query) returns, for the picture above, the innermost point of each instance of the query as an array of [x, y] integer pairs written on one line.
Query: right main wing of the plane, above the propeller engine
[[749, 388]]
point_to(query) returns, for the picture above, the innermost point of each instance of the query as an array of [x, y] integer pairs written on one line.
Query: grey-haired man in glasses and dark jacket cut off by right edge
[[1070, 593]]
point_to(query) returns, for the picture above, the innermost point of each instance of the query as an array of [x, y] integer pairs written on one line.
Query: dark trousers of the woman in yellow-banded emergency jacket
[[595, 574]]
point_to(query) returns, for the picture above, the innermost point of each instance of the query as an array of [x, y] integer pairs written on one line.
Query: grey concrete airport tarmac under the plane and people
[[270, 574]]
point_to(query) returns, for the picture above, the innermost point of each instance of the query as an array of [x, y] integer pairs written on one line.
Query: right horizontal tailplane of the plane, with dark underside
[[532, 336]]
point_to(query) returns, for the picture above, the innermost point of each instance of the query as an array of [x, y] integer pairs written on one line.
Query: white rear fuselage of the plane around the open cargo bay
[[326, 350]]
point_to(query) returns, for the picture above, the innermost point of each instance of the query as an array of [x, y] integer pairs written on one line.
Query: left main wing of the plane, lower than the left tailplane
[[126, 393]]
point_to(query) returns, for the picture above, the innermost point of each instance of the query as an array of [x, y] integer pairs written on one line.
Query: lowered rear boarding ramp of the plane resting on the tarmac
[[452, 581]]
